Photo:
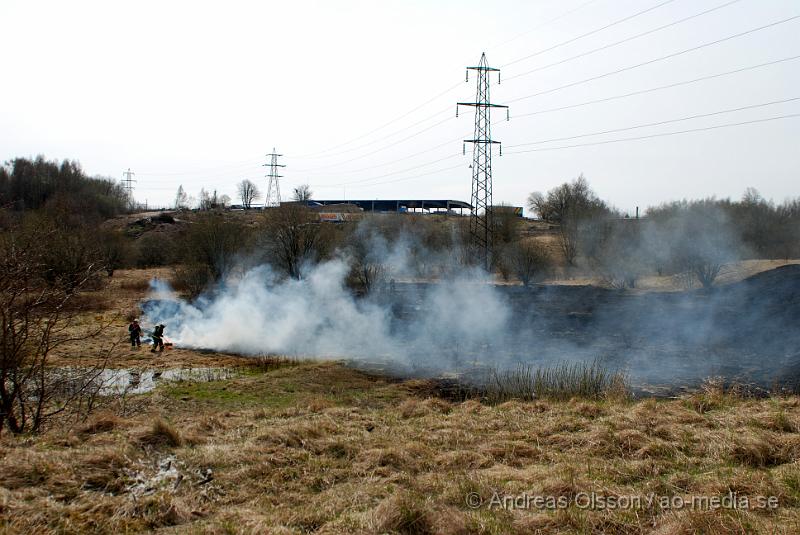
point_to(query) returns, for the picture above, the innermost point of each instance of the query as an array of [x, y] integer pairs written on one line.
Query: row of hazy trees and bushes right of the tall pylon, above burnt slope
[[692, 238]]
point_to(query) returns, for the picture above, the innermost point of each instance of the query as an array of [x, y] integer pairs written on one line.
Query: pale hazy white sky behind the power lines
[[360, 96]]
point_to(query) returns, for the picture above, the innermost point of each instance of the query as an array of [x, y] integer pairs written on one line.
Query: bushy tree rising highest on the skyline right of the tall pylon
[[571, 205]]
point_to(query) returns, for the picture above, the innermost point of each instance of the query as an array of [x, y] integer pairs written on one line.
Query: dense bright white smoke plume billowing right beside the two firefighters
[[262, 313]]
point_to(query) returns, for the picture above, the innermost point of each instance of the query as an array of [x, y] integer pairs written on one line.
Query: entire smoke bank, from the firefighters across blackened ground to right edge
[[747, 331]]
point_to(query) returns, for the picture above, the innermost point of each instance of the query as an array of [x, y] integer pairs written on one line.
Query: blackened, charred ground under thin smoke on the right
[[748, 331]]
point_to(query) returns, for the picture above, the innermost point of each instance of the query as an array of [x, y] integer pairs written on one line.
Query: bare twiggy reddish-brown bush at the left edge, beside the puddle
[[37, 315]]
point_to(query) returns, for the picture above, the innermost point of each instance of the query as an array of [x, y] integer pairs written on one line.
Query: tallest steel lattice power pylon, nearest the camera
[[481, 222]]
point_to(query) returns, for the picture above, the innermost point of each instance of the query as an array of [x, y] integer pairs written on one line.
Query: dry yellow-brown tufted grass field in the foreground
[[317, 447]]
